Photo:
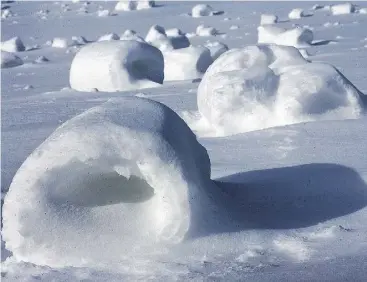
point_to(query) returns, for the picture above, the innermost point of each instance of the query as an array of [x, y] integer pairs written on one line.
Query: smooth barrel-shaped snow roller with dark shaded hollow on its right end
[[116, 66]]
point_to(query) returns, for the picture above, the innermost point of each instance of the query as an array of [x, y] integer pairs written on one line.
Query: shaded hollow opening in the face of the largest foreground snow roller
[[89, 187]]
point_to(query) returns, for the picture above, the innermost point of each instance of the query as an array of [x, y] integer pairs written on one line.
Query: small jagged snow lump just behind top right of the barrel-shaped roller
[[157, 37]]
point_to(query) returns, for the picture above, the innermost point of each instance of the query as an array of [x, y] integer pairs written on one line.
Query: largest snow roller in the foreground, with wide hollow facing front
[[132, 177]]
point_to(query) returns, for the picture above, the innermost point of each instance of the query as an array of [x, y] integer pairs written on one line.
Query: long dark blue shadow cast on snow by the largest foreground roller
[[289, 197]]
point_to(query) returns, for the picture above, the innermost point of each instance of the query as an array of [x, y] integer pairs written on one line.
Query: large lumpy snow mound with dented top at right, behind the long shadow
[[268, 85]]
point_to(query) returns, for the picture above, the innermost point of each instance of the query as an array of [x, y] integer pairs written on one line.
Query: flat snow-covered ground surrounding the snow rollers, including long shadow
[[296, 193]]
